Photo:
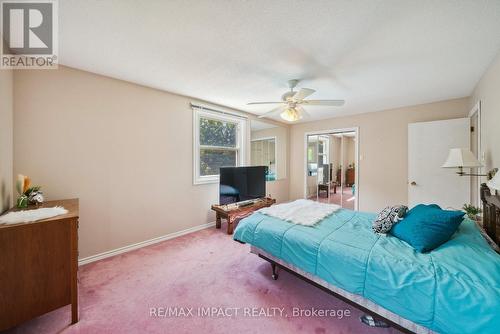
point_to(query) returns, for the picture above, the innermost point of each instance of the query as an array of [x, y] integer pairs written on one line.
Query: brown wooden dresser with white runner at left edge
[[38, 266]]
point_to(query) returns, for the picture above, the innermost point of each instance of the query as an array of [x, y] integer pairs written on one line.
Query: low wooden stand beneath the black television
[[234, 213]]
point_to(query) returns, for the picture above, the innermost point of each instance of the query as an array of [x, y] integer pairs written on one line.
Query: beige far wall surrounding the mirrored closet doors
[[383, 149]]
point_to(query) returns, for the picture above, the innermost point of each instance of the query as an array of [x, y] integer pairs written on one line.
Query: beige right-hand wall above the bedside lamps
[[488, 92]]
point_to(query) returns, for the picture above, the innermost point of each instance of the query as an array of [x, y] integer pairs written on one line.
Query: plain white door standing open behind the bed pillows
[[428, 147]]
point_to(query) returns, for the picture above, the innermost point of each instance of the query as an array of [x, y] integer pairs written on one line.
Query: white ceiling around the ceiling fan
[[374, 54]]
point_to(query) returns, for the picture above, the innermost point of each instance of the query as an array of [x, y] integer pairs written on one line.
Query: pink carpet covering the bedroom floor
[[202, 269]]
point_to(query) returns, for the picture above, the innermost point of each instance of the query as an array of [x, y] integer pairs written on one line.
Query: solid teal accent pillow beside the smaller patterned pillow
[[426, 227]]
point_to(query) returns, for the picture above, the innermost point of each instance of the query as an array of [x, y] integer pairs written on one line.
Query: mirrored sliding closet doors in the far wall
[[331, 167]]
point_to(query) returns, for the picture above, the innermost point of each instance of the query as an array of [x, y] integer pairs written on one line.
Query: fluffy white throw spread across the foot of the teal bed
[[301, 211]]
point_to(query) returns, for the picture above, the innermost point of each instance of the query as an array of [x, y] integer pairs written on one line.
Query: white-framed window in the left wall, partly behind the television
[[219, 141]]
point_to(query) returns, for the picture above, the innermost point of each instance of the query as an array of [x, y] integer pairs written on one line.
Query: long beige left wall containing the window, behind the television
[[125, 150]]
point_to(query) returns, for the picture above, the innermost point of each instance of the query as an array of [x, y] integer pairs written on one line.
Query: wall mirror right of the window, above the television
[[268, 148]]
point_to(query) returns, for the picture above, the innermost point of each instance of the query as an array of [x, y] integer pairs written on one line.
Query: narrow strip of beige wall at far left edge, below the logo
[[6, 129]]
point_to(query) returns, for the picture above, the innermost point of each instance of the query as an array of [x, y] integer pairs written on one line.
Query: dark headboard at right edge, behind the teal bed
[[491, 213]]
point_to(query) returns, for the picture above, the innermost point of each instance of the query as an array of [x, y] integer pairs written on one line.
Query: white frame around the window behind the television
[[241, 141]]
